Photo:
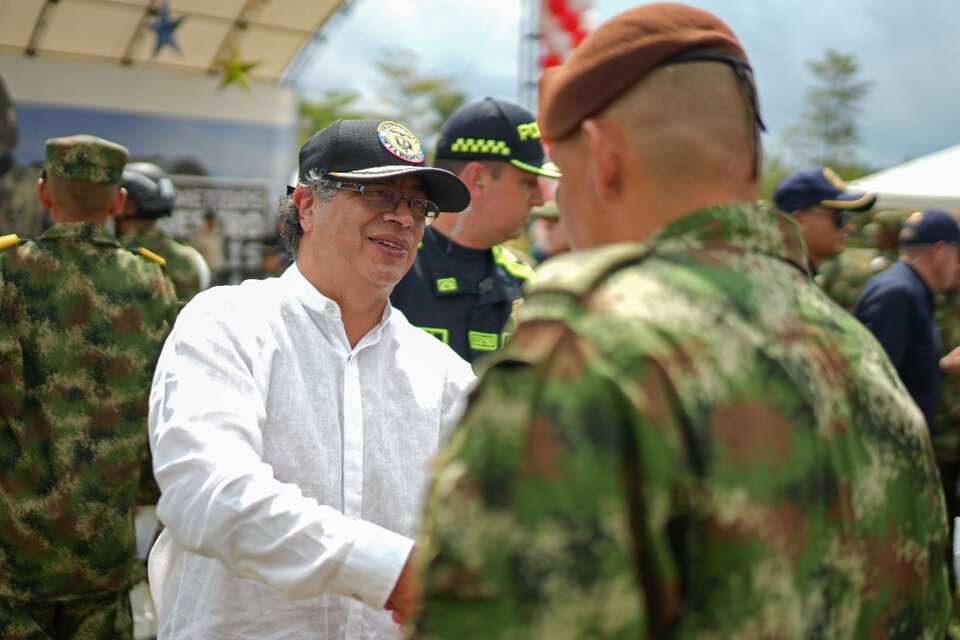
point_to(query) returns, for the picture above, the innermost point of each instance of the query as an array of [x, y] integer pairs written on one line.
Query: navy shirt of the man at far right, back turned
[[897, 306]]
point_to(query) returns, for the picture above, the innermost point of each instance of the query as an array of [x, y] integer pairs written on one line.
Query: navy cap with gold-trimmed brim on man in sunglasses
[[819, 187]]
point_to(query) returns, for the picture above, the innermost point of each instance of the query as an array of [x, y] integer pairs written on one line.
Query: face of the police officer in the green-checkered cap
[[509, 200]]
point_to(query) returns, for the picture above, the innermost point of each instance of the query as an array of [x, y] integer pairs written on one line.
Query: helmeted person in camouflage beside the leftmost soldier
[[151, 196]]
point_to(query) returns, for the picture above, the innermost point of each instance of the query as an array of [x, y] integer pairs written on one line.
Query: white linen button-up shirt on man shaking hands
[[292, 467]]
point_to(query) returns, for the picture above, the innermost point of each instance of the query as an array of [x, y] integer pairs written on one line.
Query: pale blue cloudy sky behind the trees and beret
[[910, 52]]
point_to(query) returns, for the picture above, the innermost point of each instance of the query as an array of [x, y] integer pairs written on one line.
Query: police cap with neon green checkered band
[[495, 130]]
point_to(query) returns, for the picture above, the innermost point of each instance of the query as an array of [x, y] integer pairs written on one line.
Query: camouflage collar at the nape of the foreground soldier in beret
[[732, 226]]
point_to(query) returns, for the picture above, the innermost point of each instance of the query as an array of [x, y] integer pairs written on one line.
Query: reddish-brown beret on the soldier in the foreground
[[621, 53]]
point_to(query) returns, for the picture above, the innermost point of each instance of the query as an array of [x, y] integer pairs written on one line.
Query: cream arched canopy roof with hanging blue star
[[268, 36]]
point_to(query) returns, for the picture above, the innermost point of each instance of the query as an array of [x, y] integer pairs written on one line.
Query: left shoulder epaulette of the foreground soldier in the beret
[[578, 273]]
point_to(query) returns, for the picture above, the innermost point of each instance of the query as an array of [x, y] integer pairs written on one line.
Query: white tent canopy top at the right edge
[[929, 181]]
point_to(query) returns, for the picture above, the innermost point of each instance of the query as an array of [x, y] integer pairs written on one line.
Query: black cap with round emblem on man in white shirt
[[366, 151]]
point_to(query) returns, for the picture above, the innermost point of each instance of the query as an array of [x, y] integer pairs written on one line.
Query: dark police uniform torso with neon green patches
[[462, 296]]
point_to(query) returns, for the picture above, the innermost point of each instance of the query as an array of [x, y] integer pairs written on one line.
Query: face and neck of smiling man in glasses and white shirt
[[349, 244]]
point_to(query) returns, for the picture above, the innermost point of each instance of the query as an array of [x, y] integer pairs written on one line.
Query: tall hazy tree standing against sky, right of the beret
[[827, 133]]
